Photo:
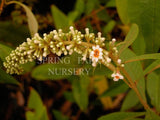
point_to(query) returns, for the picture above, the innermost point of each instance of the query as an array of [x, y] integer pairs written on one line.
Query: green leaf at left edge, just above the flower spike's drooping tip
[[4, 51]]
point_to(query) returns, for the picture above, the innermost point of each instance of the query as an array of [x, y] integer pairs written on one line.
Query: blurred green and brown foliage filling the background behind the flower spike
[[34, 95]]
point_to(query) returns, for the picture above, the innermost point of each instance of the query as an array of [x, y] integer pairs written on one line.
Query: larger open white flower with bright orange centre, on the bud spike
[[96, 54]]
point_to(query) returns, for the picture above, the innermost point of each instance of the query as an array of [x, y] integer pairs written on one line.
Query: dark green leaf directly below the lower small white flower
[[115, 89]]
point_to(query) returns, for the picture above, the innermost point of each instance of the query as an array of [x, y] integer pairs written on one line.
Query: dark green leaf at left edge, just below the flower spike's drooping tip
[[6, 78]]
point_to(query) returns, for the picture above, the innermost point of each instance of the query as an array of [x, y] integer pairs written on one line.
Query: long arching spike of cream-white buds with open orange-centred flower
[[57, 42]]
